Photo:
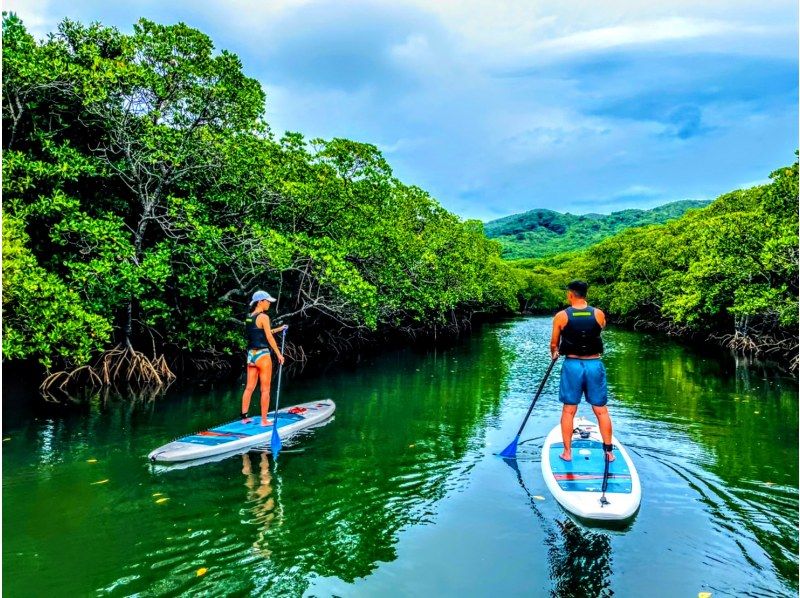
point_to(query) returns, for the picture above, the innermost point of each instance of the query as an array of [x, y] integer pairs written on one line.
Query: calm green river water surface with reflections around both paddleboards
[[400, 495]]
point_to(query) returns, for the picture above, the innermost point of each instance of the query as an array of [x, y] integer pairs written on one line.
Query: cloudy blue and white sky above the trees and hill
[[496, 108]]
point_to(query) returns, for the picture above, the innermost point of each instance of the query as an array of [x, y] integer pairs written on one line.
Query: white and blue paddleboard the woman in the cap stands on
[[236, 435]]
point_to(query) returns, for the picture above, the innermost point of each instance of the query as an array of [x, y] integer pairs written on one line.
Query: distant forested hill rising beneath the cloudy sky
[[541, 233]]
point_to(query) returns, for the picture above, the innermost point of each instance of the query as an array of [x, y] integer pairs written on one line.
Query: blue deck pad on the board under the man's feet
[[585, 472]]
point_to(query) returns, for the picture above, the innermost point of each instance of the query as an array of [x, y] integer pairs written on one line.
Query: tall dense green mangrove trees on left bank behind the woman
[[144, 189]]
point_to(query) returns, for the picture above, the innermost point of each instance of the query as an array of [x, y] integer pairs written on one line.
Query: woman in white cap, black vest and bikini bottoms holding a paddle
[[259, 362]]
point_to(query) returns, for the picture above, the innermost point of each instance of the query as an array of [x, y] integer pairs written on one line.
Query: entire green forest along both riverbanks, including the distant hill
[[145, 198]]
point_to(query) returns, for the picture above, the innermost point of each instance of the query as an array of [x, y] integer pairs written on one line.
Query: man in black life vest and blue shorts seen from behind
[[576, 335]]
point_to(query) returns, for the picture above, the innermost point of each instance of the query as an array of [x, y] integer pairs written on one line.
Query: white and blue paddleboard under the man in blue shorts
[[577, 484]]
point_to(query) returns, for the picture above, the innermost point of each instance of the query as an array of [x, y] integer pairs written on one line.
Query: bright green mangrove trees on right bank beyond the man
[[731, 267]]
